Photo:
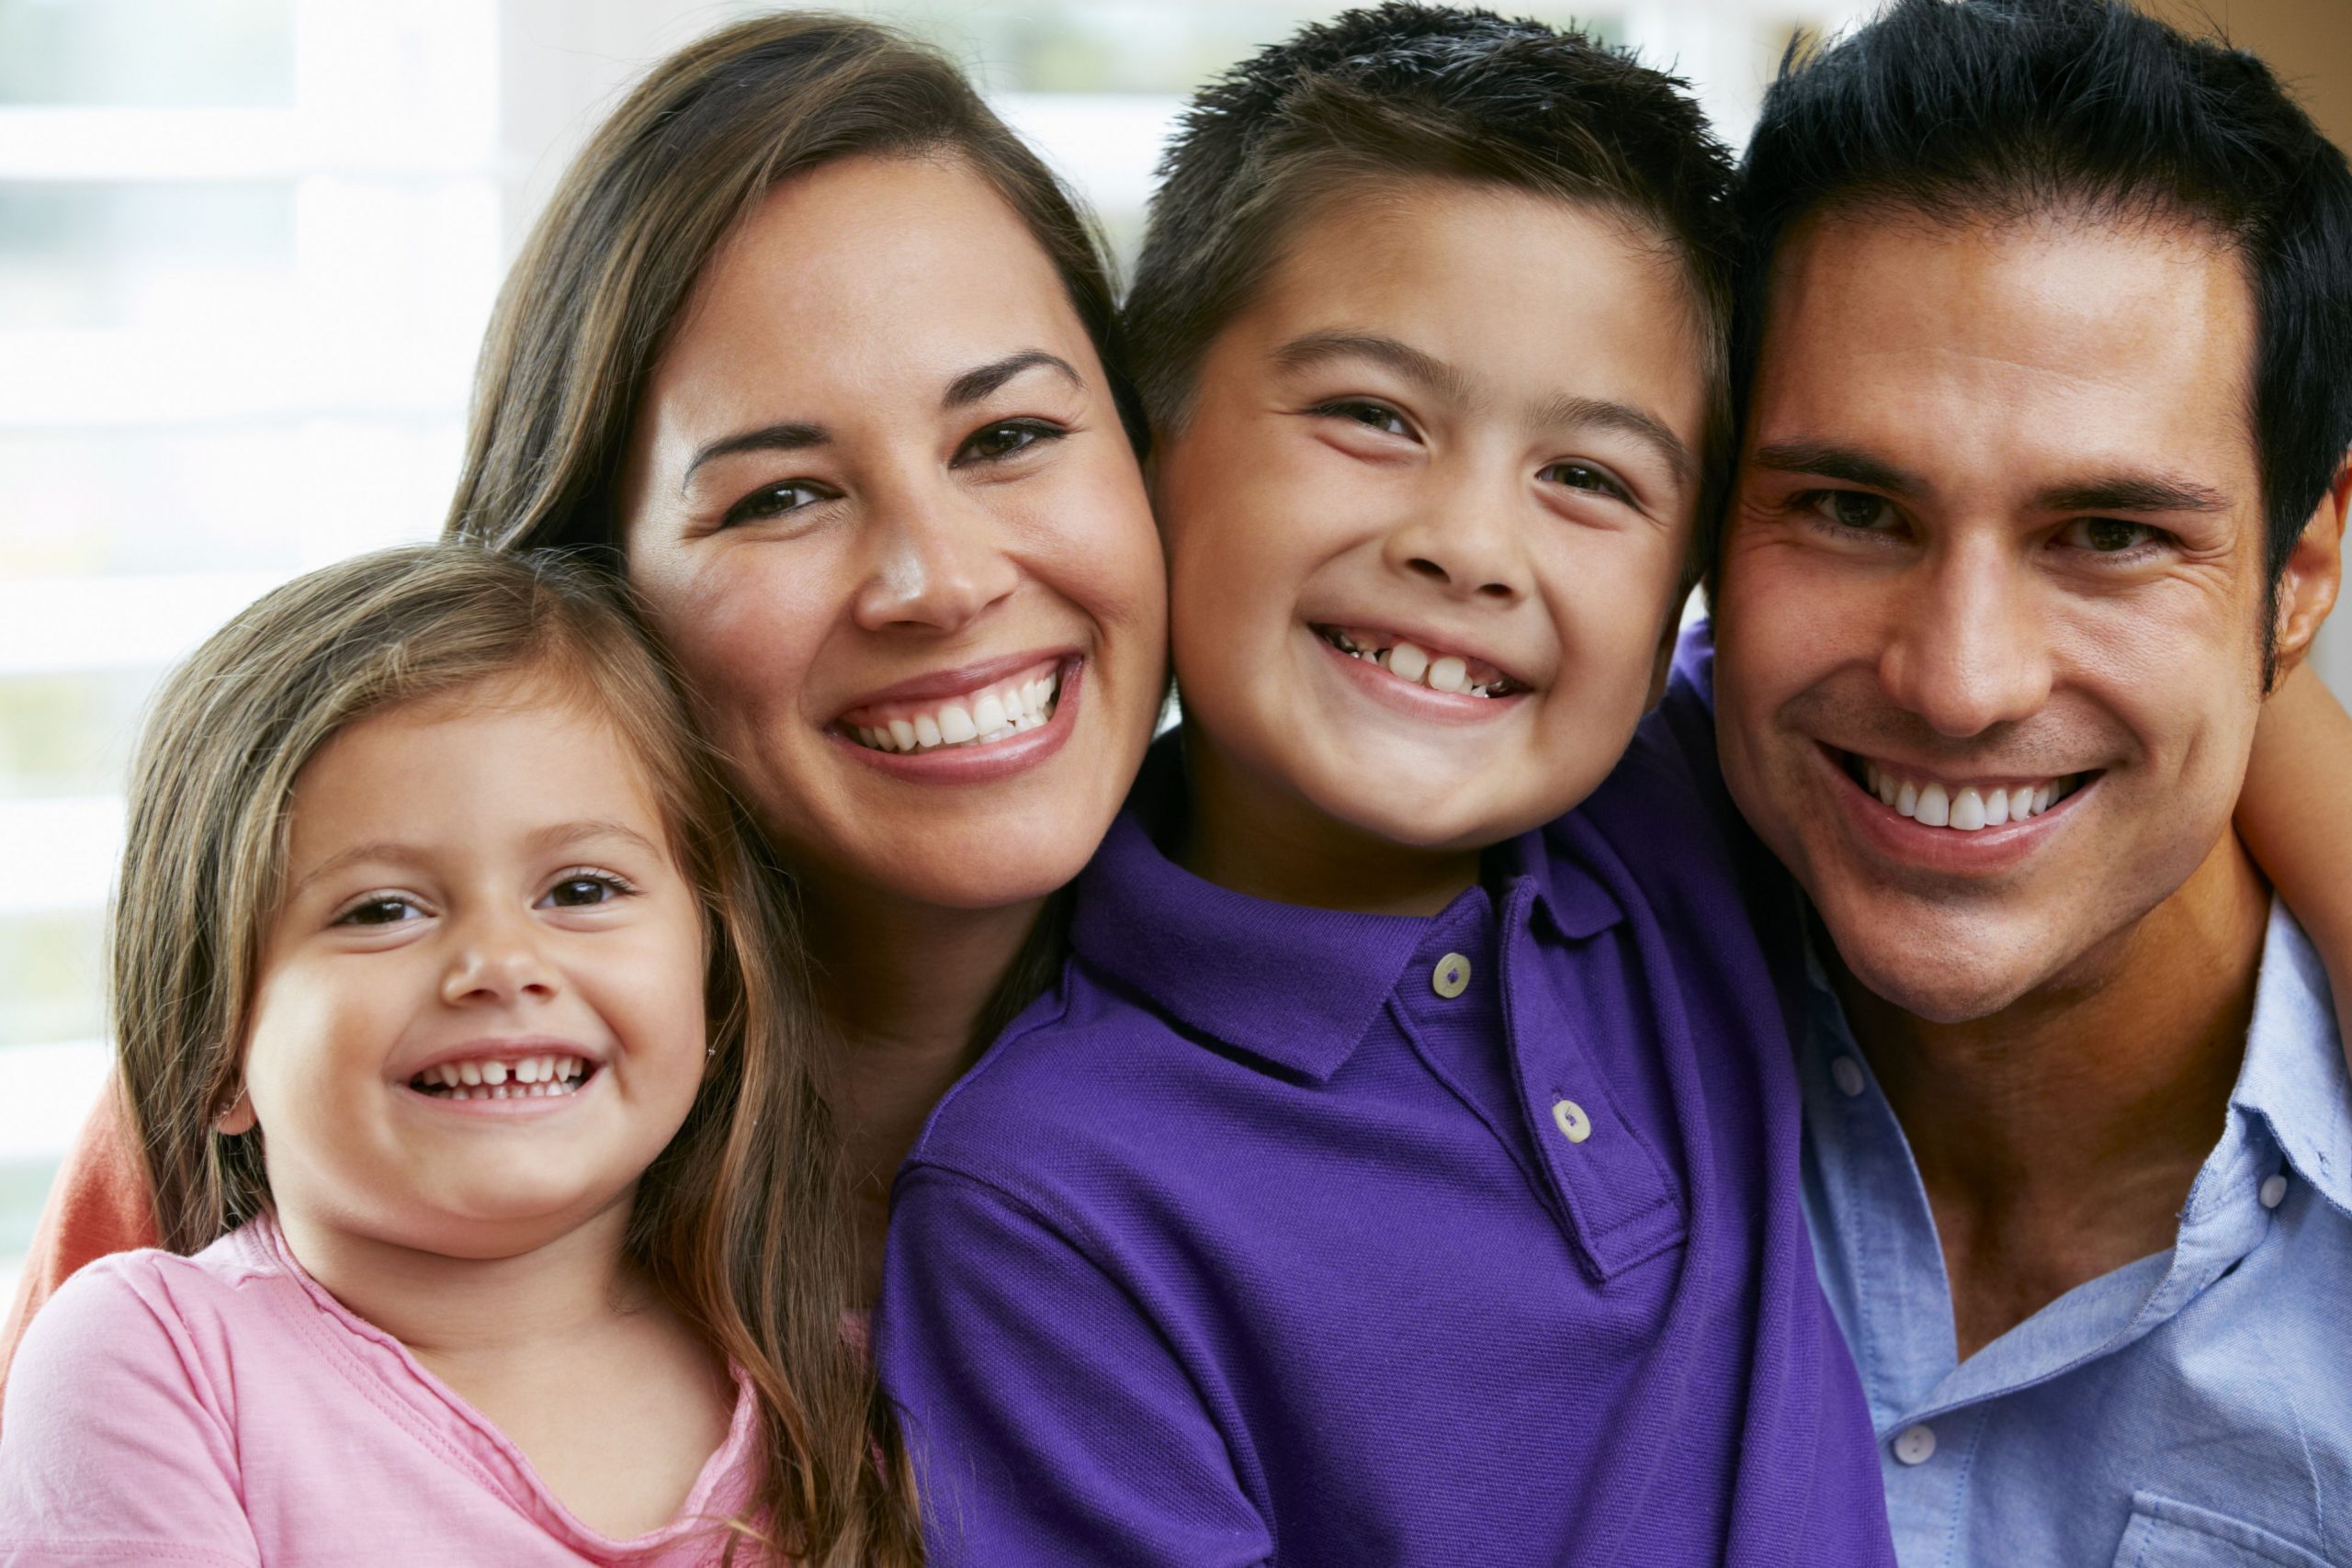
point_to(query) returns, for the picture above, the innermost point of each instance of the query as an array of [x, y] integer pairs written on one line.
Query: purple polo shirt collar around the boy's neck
[[1292, 986]]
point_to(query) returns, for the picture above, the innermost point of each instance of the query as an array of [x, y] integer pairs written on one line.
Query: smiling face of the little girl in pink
[[479, 890]]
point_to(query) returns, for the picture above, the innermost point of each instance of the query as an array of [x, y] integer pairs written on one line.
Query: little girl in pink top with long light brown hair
[[479, 1115]]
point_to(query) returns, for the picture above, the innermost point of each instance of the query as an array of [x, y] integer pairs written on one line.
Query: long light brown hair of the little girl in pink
[[742, 1221]]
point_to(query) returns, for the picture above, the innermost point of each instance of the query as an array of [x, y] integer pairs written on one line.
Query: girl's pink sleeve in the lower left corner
[[114, 1445]]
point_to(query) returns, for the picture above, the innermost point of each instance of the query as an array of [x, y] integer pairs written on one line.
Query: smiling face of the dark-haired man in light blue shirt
[[1991, 610]]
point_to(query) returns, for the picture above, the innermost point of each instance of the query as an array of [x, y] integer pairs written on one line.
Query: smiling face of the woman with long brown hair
[[886, 516]]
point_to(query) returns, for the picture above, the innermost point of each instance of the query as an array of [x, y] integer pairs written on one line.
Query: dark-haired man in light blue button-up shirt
[[2040, 500]]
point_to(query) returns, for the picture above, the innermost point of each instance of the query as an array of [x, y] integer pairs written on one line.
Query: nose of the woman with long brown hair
[[937, 558]]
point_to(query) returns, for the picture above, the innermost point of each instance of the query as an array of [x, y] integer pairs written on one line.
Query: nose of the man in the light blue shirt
[[1967, 648]]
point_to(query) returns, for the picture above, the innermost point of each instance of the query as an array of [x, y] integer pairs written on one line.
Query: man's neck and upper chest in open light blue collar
[[2059, 1137]]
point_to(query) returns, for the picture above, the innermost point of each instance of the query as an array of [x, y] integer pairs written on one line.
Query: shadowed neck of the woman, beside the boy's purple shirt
[[904, 989]]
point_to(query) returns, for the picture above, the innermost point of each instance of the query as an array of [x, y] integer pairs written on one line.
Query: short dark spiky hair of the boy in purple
[[1415, 91]]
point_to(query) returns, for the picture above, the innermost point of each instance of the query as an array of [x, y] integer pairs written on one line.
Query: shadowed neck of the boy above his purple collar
[[1264, 840]]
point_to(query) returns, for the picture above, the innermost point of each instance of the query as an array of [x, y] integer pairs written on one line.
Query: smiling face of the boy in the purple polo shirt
[[1429, 514]]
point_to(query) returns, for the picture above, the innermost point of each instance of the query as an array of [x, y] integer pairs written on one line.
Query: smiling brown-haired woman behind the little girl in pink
[[820, 356]]
